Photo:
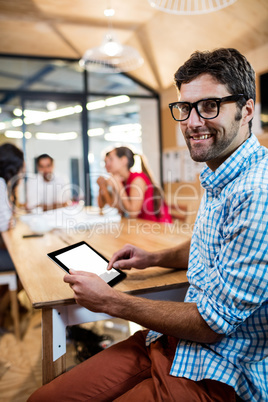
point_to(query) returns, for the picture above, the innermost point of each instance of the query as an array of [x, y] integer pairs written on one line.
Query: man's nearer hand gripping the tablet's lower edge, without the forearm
[[90, 291]]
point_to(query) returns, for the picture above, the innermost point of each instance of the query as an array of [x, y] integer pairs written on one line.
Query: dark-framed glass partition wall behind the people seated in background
[[52, 106]]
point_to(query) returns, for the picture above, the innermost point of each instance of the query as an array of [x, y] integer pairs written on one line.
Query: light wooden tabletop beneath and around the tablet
[[43, 280]]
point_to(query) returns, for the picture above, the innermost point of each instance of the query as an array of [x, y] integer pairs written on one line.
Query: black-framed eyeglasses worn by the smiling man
[[206, 108]]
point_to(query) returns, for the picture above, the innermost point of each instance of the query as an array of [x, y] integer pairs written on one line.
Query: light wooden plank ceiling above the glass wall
[[66, 28]]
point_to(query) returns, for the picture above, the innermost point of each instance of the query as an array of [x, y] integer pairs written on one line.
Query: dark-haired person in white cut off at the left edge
[[11, 165]]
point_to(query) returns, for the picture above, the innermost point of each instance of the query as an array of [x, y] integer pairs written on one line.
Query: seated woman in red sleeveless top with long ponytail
[[134, 194]]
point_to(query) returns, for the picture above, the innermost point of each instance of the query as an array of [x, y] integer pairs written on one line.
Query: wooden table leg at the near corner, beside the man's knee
[[50, 369]]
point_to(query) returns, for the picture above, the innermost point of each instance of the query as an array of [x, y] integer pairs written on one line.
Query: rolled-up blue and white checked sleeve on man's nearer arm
[[237, 284]]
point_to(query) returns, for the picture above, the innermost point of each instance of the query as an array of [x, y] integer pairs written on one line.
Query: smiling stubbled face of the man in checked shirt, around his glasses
[[211, 141]]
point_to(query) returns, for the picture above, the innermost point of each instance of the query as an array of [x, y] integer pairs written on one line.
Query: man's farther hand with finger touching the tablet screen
[[130, 257]]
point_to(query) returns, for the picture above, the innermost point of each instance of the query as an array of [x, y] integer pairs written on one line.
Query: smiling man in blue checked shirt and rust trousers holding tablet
[[214, 345]]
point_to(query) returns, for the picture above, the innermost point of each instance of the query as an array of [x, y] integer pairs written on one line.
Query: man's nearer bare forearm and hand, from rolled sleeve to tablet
[[178, 319]]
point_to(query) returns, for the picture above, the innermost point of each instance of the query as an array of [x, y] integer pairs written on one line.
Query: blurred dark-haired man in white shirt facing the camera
[[47, 189]]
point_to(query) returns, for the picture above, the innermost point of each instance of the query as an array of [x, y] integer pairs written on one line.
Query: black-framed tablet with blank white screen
[[82, 257]]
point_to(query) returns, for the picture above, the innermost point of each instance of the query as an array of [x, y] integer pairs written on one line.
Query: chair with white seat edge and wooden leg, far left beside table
[[9, 278]]
